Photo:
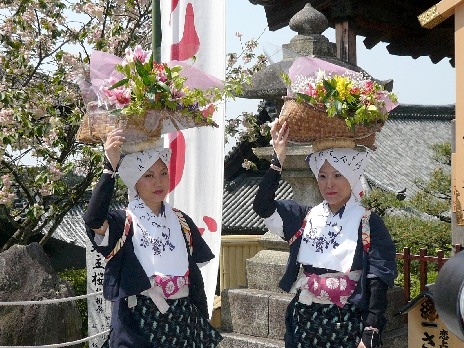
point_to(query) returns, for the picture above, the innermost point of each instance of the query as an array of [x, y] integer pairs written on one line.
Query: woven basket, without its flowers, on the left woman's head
[[141, 132]]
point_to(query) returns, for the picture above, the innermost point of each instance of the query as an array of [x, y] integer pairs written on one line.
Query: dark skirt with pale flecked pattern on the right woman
[[322, 326]]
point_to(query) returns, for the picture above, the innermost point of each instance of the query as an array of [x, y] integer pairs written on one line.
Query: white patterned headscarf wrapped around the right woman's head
[[350, 163]]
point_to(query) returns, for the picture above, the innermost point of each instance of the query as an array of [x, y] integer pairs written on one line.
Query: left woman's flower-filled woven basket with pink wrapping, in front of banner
[[145, 98]]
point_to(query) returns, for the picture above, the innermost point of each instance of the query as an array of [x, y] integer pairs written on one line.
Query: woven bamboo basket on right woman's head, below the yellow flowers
[[309, 124]]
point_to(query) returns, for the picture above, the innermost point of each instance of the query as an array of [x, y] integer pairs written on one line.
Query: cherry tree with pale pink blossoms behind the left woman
[[45, 46]]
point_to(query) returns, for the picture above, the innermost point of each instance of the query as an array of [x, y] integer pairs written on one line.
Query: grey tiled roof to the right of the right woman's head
[[404, 146]]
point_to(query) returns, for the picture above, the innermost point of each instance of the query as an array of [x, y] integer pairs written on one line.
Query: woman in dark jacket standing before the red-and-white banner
[[153, 253]]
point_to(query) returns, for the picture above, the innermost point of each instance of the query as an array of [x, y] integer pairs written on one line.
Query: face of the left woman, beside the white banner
[[153, 186]]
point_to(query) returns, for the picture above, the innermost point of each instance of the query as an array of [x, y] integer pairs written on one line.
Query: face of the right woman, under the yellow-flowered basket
[[334, 187]]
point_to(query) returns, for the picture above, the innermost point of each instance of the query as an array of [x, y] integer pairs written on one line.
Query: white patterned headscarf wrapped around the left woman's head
[[134, 165]]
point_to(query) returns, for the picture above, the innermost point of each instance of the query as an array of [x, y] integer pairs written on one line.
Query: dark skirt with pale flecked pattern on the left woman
[[181, 326]]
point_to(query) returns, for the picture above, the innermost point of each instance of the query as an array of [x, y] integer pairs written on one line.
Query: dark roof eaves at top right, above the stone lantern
[[393, 22]]
